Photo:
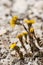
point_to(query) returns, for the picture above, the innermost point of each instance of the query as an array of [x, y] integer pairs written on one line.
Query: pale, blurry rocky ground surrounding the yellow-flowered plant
[[22, 8]]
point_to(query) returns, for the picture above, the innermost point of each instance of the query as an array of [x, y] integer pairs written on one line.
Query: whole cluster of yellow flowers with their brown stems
[[29, 32]]
